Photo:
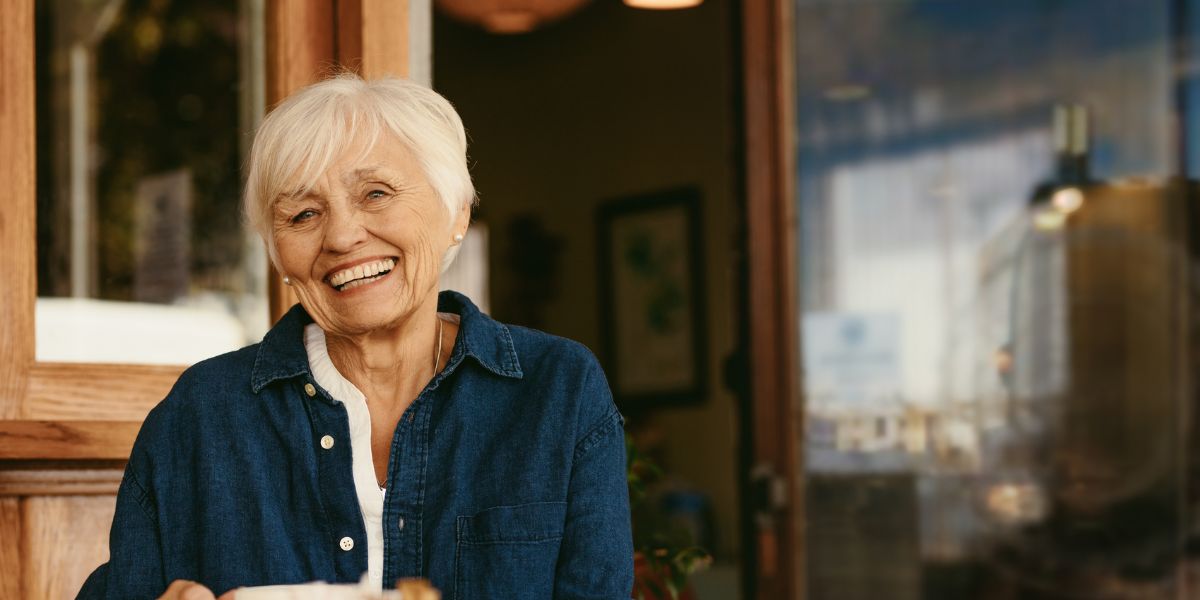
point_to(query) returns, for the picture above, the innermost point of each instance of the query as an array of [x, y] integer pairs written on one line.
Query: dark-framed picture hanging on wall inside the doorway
[[652, 309]]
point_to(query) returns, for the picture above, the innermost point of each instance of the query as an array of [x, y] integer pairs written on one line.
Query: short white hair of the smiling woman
[[303, 136]]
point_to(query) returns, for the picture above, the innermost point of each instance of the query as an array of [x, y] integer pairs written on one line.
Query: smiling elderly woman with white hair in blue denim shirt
[[381, 429]]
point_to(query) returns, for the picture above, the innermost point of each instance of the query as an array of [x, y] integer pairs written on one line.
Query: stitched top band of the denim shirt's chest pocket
[[524, 523]]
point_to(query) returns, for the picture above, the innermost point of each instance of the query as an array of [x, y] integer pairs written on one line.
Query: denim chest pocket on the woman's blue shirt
[[508, 551]]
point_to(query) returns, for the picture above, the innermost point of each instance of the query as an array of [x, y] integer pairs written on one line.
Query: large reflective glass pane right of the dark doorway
[[995, 247]]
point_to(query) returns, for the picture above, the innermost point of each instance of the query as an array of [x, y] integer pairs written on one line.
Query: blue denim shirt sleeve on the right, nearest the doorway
[[597, 555]]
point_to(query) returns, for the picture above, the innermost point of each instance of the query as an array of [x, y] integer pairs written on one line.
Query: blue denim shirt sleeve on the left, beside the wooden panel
[[135, 566]]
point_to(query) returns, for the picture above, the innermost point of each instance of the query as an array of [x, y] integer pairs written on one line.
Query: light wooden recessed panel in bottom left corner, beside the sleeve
[[65, 539]]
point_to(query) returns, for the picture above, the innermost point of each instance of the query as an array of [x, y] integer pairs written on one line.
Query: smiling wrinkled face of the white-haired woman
[[364, 247]]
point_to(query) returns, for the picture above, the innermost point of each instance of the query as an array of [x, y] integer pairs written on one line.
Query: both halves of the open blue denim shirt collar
[[281, 356]]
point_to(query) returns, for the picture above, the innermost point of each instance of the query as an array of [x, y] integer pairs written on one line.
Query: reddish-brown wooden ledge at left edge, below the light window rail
[[101, 441]]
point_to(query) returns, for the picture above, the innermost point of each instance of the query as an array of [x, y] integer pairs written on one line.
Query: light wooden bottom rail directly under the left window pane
[[123, 393]]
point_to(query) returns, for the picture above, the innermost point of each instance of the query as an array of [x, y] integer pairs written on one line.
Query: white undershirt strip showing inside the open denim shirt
[[369, 491]]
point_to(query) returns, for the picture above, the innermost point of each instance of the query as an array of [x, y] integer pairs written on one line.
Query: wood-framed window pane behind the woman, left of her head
[[145, 112]]
